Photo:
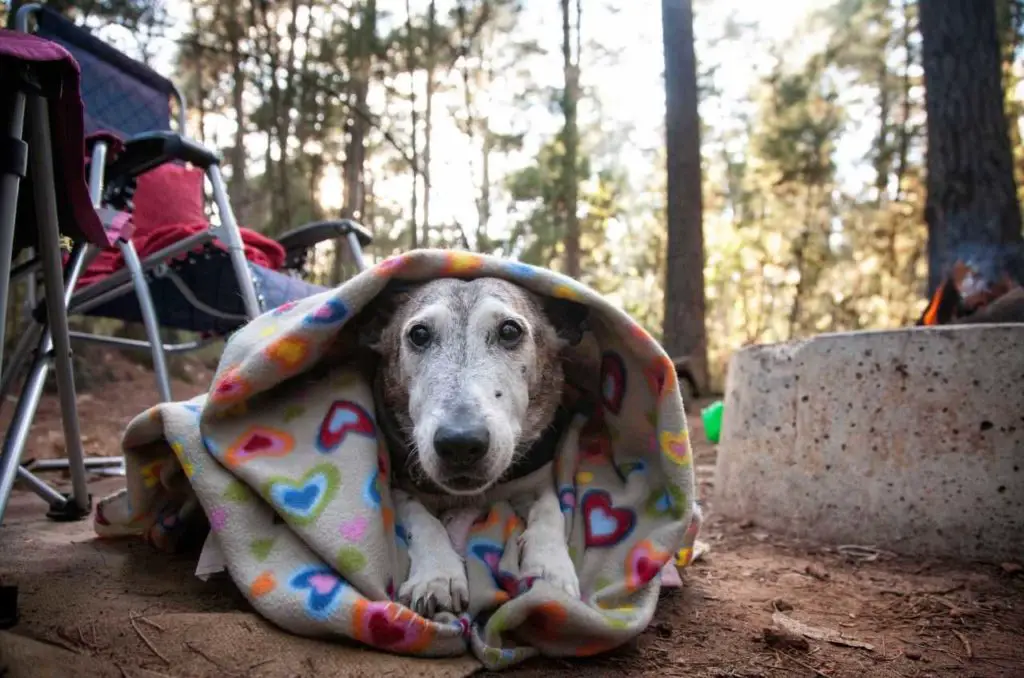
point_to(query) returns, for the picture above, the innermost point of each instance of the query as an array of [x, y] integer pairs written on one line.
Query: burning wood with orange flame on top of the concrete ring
[[977, 290]]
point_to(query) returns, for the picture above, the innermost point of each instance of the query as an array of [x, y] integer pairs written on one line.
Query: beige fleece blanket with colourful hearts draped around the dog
[[283, 460]]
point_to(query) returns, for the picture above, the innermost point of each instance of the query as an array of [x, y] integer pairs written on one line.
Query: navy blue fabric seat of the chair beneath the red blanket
[[210, 281]]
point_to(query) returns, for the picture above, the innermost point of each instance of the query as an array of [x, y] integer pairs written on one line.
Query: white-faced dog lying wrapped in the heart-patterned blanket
[[468, 387]]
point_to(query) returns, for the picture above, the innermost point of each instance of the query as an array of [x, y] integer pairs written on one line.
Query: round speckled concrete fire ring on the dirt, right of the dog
[[910, 441]]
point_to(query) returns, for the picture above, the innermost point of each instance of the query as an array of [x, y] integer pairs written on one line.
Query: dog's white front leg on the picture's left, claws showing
[[438, 579]]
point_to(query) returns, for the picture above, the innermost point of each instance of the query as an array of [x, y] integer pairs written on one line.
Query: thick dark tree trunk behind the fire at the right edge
[[972, 194]]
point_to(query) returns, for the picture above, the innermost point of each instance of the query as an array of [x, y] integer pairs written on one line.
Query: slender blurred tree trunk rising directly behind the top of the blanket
[[571, 140]]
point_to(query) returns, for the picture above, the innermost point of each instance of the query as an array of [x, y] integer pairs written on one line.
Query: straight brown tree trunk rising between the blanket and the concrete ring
[[685, 333]]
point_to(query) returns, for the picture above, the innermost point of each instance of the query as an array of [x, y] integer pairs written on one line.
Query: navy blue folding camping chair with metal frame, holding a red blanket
[[202, 283]]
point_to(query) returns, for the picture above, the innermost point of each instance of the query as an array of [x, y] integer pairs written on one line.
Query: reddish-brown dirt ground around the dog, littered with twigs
[[95, 608]]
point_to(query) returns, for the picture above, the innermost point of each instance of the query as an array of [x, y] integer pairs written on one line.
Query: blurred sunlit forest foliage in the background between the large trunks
[[794, 245]]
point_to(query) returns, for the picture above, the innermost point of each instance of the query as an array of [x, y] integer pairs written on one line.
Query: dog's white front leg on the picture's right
[[545, 554]]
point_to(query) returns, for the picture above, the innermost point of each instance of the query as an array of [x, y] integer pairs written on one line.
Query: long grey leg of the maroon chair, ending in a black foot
[[57, 304]]
